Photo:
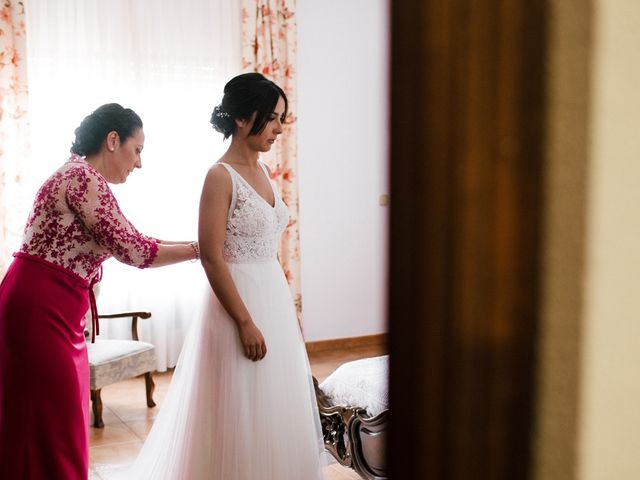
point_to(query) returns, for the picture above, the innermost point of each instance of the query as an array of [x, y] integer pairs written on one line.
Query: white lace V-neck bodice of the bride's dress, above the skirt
[[253, 226]]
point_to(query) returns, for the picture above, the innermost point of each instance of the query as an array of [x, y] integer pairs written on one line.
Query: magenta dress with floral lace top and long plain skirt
[[74, 226]]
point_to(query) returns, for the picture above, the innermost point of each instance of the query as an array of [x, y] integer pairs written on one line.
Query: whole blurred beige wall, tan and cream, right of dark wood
[[589, 384]]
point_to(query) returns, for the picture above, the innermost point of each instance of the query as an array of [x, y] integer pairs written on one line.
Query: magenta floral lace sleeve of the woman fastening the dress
[[88, 195]]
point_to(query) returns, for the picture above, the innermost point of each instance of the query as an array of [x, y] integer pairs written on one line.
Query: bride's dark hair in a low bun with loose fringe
[[245, 95]]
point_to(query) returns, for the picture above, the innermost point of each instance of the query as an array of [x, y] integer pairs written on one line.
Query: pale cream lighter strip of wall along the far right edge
[[609, 431]]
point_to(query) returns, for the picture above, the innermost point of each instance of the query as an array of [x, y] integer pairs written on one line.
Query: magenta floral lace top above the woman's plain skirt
[[76, 223]]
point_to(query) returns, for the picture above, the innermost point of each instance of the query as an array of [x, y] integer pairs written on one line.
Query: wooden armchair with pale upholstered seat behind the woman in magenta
[[112, 361]]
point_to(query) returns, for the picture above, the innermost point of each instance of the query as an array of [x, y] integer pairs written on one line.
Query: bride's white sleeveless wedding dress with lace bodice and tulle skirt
[[224, 416]]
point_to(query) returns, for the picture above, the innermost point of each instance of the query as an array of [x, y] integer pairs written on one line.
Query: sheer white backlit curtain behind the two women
[[168, 61]]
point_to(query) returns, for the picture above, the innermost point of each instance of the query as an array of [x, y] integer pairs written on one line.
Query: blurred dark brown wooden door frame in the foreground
[[466, 166]]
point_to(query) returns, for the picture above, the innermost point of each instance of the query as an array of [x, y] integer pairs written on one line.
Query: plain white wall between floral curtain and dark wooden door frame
[[343, 150]]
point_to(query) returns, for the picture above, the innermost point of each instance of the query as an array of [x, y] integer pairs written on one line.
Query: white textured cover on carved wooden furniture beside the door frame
[[360, 383]]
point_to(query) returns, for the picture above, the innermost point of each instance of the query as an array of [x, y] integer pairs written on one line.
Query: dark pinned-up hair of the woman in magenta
[[111, 117]]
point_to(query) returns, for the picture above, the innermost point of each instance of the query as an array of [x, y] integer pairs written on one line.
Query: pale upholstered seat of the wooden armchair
[[111, 361]]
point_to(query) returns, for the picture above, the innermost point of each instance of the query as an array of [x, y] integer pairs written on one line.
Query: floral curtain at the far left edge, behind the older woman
[[13, 125]]
